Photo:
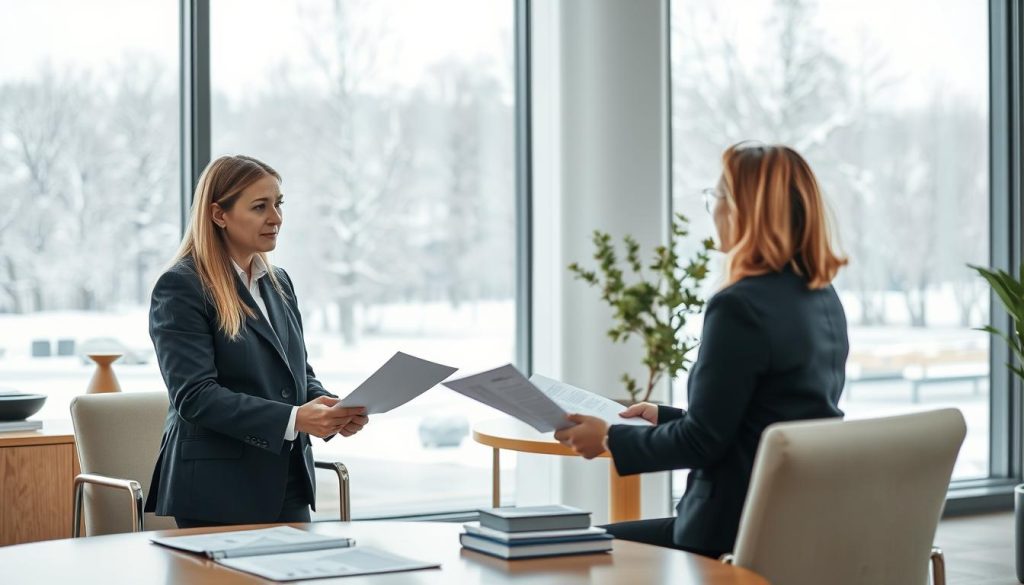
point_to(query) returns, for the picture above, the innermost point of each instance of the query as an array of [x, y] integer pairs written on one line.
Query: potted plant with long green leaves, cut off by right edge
[[1010, 290]]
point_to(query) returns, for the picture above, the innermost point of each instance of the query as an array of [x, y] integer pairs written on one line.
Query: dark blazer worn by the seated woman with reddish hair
[[772, 351]]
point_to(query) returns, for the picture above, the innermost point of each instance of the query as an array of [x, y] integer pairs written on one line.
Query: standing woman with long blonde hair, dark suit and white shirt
[[229, 338]]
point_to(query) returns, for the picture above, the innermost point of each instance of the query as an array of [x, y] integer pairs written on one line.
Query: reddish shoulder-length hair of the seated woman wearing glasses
[[778, 216]]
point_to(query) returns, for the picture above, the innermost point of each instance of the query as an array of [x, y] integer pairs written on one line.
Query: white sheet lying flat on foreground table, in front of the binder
[[340, 563]]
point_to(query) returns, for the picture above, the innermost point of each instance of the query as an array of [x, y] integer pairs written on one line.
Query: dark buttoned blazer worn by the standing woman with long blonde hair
[[224, 457]]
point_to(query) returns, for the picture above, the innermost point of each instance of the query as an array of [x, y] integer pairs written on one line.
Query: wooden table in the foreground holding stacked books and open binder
[[133, 559]]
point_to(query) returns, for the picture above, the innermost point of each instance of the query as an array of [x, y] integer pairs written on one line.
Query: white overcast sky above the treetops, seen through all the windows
[[941, 44]]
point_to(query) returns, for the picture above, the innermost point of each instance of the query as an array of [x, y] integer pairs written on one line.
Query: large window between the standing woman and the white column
[[393, 123]]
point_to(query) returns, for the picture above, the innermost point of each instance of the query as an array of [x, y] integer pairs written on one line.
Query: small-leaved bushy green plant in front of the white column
[[655, 305]]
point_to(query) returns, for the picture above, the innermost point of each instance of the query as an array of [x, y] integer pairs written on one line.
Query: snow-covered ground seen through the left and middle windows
[[394, 473]]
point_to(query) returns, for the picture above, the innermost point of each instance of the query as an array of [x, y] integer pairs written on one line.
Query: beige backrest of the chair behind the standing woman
[[118, 435]]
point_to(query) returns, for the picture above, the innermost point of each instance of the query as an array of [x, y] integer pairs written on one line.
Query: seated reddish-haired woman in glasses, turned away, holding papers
[[774, 349]]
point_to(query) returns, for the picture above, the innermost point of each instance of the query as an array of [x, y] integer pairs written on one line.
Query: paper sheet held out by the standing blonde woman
[[401, 380]]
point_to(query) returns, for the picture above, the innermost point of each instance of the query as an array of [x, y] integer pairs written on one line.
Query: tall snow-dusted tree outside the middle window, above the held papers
[[363, 152]]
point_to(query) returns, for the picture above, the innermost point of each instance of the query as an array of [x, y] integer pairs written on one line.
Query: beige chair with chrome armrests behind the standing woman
[[118, 438]]
